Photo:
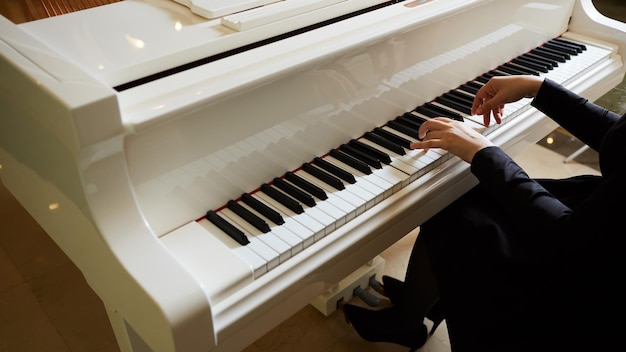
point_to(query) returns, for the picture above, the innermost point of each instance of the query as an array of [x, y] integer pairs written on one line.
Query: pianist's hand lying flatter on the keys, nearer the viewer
[[451, 135]]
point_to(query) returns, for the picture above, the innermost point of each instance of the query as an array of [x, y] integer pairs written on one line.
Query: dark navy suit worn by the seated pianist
[[537, 265]]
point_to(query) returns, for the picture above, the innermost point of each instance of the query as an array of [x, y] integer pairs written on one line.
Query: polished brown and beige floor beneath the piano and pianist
[[46, 305]]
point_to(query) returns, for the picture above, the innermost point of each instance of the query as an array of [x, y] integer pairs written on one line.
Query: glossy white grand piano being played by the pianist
[[126, 130]]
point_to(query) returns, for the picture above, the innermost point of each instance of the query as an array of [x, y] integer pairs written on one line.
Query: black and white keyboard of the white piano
[[284, 216]]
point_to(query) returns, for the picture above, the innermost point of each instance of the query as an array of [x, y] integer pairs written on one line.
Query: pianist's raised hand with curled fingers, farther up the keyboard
[[500, 90]]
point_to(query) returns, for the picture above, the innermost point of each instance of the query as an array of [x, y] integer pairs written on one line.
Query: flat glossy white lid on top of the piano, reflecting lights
[[133, 39]]
